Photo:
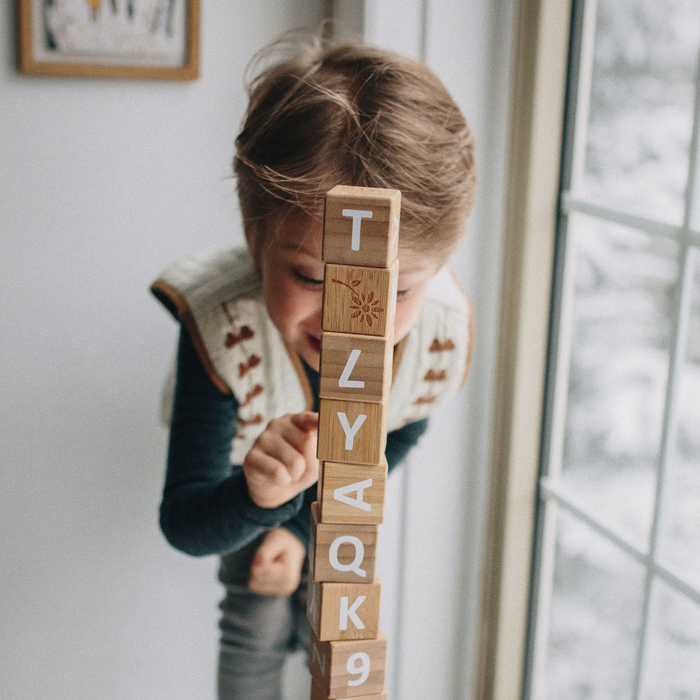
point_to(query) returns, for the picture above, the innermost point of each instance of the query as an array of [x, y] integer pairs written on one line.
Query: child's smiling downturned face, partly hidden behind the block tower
[[292, 279]]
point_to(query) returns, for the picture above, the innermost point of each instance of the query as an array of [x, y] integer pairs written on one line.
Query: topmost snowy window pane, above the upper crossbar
[[640, 118]]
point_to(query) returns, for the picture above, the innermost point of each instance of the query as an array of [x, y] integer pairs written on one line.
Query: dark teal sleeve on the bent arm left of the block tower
[[205, 507]]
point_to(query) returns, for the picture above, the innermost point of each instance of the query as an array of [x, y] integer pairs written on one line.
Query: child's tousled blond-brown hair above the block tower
[[354, 115]]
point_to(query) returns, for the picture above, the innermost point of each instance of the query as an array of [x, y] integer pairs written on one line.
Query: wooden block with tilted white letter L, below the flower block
[[355, 367]]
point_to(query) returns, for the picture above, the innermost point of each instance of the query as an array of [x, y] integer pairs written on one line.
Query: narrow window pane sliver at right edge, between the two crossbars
[[679, 533]]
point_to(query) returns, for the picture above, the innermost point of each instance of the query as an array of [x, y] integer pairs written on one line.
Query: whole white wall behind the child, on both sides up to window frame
[[101, 185]]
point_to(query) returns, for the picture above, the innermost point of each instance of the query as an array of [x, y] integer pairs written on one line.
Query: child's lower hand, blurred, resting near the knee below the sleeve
[[276, 567]]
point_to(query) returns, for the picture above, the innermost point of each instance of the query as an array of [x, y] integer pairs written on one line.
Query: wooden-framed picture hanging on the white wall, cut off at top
[[110, 38]]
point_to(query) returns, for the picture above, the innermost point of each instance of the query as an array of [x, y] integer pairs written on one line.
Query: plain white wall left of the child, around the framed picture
[[102, 183]]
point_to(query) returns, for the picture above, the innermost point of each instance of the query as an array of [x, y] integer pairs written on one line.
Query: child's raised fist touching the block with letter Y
[[282, 461]]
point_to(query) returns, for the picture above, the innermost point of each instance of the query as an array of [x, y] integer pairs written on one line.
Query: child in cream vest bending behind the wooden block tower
[[248, 358]]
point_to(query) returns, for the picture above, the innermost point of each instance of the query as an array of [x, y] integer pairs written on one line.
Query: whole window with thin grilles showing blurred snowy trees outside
[[617, 611]]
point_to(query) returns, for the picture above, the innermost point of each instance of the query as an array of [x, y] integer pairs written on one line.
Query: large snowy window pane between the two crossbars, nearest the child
[[624, 282]]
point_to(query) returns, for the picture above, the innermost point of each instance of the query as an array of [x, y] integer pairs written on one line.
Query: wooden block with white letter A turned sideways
[[352, 493]]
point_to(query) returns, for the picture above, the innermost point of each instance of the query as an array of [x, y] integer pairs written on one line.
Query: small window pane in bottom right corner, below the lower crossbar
[[672, 664]]
